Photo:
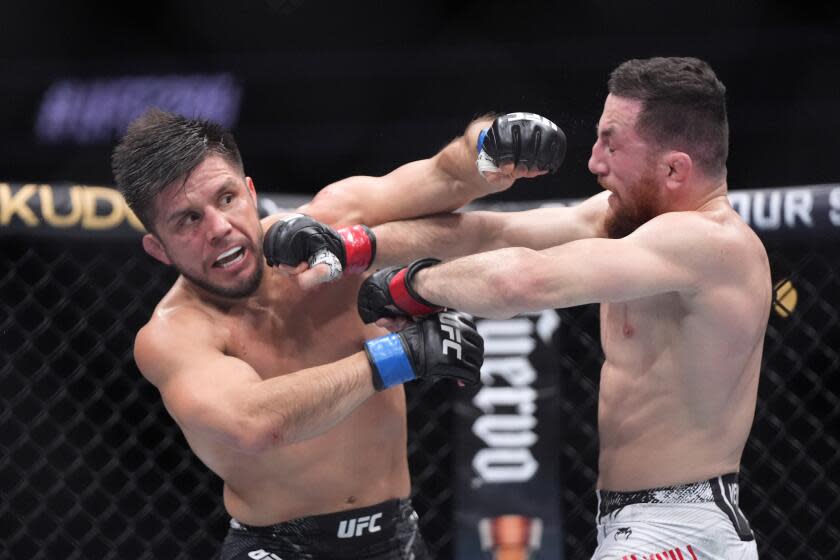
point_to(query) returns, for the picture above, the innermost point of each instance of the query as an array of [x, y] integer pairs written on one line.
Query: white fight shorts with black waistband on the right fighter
[[694, 521]]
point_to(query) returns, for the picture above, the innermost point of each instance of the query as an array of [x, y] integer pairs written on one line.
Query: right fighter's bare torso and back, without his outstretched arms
[[679, 381]]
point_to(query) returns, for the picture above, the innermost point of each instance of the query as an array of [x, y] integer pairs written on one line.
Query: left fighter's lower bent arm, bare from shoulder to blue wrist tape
[[222, 396]]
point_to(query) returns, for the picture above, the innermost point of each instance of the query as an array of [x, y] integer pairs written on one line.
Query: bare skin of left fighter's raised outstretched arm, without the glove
[[441, 183]]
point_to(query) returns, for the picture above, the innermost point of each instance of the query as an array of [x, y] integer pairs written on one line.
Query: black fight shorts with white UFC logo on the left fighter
[[386, 531]]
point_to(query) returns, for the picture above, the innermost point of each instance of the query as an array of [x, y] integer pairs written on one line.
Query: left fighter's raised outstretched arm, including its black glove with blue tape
[[505, 148]]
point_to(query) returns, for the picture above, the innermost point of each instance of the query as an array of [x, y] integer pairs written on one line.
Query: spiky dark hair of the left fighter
[[159, 148]]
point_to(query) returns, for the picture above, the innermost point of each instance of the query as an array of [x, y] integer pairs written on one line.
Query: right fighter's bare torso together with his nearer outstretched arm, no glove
[[685, 301]]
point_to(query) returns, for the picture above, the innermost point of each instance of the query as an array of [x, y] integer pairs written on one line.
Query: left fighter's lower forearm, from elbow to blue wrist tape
[[304, 404]]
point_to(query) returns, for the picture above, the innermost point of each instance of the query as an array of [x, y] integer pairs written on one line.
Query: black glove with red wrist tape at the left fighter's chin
[[299, 238]]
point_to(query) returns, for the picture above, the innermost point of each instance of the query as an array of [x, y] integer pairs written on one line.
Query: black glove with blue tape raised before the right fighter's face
[[524, 139]]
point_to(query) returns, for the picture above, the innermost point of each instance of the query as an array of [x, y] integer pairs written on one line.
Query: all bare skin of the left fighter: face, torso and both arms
[[271, 389]]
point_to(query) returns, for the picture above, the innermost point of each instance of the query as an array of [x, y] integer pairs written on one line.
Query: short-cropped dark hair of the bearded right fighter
[[683, 107]]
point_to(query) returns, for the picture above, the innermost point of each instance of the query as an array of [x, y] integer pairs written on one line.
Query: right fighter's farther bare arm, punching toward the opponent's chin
[[455, 235]]
